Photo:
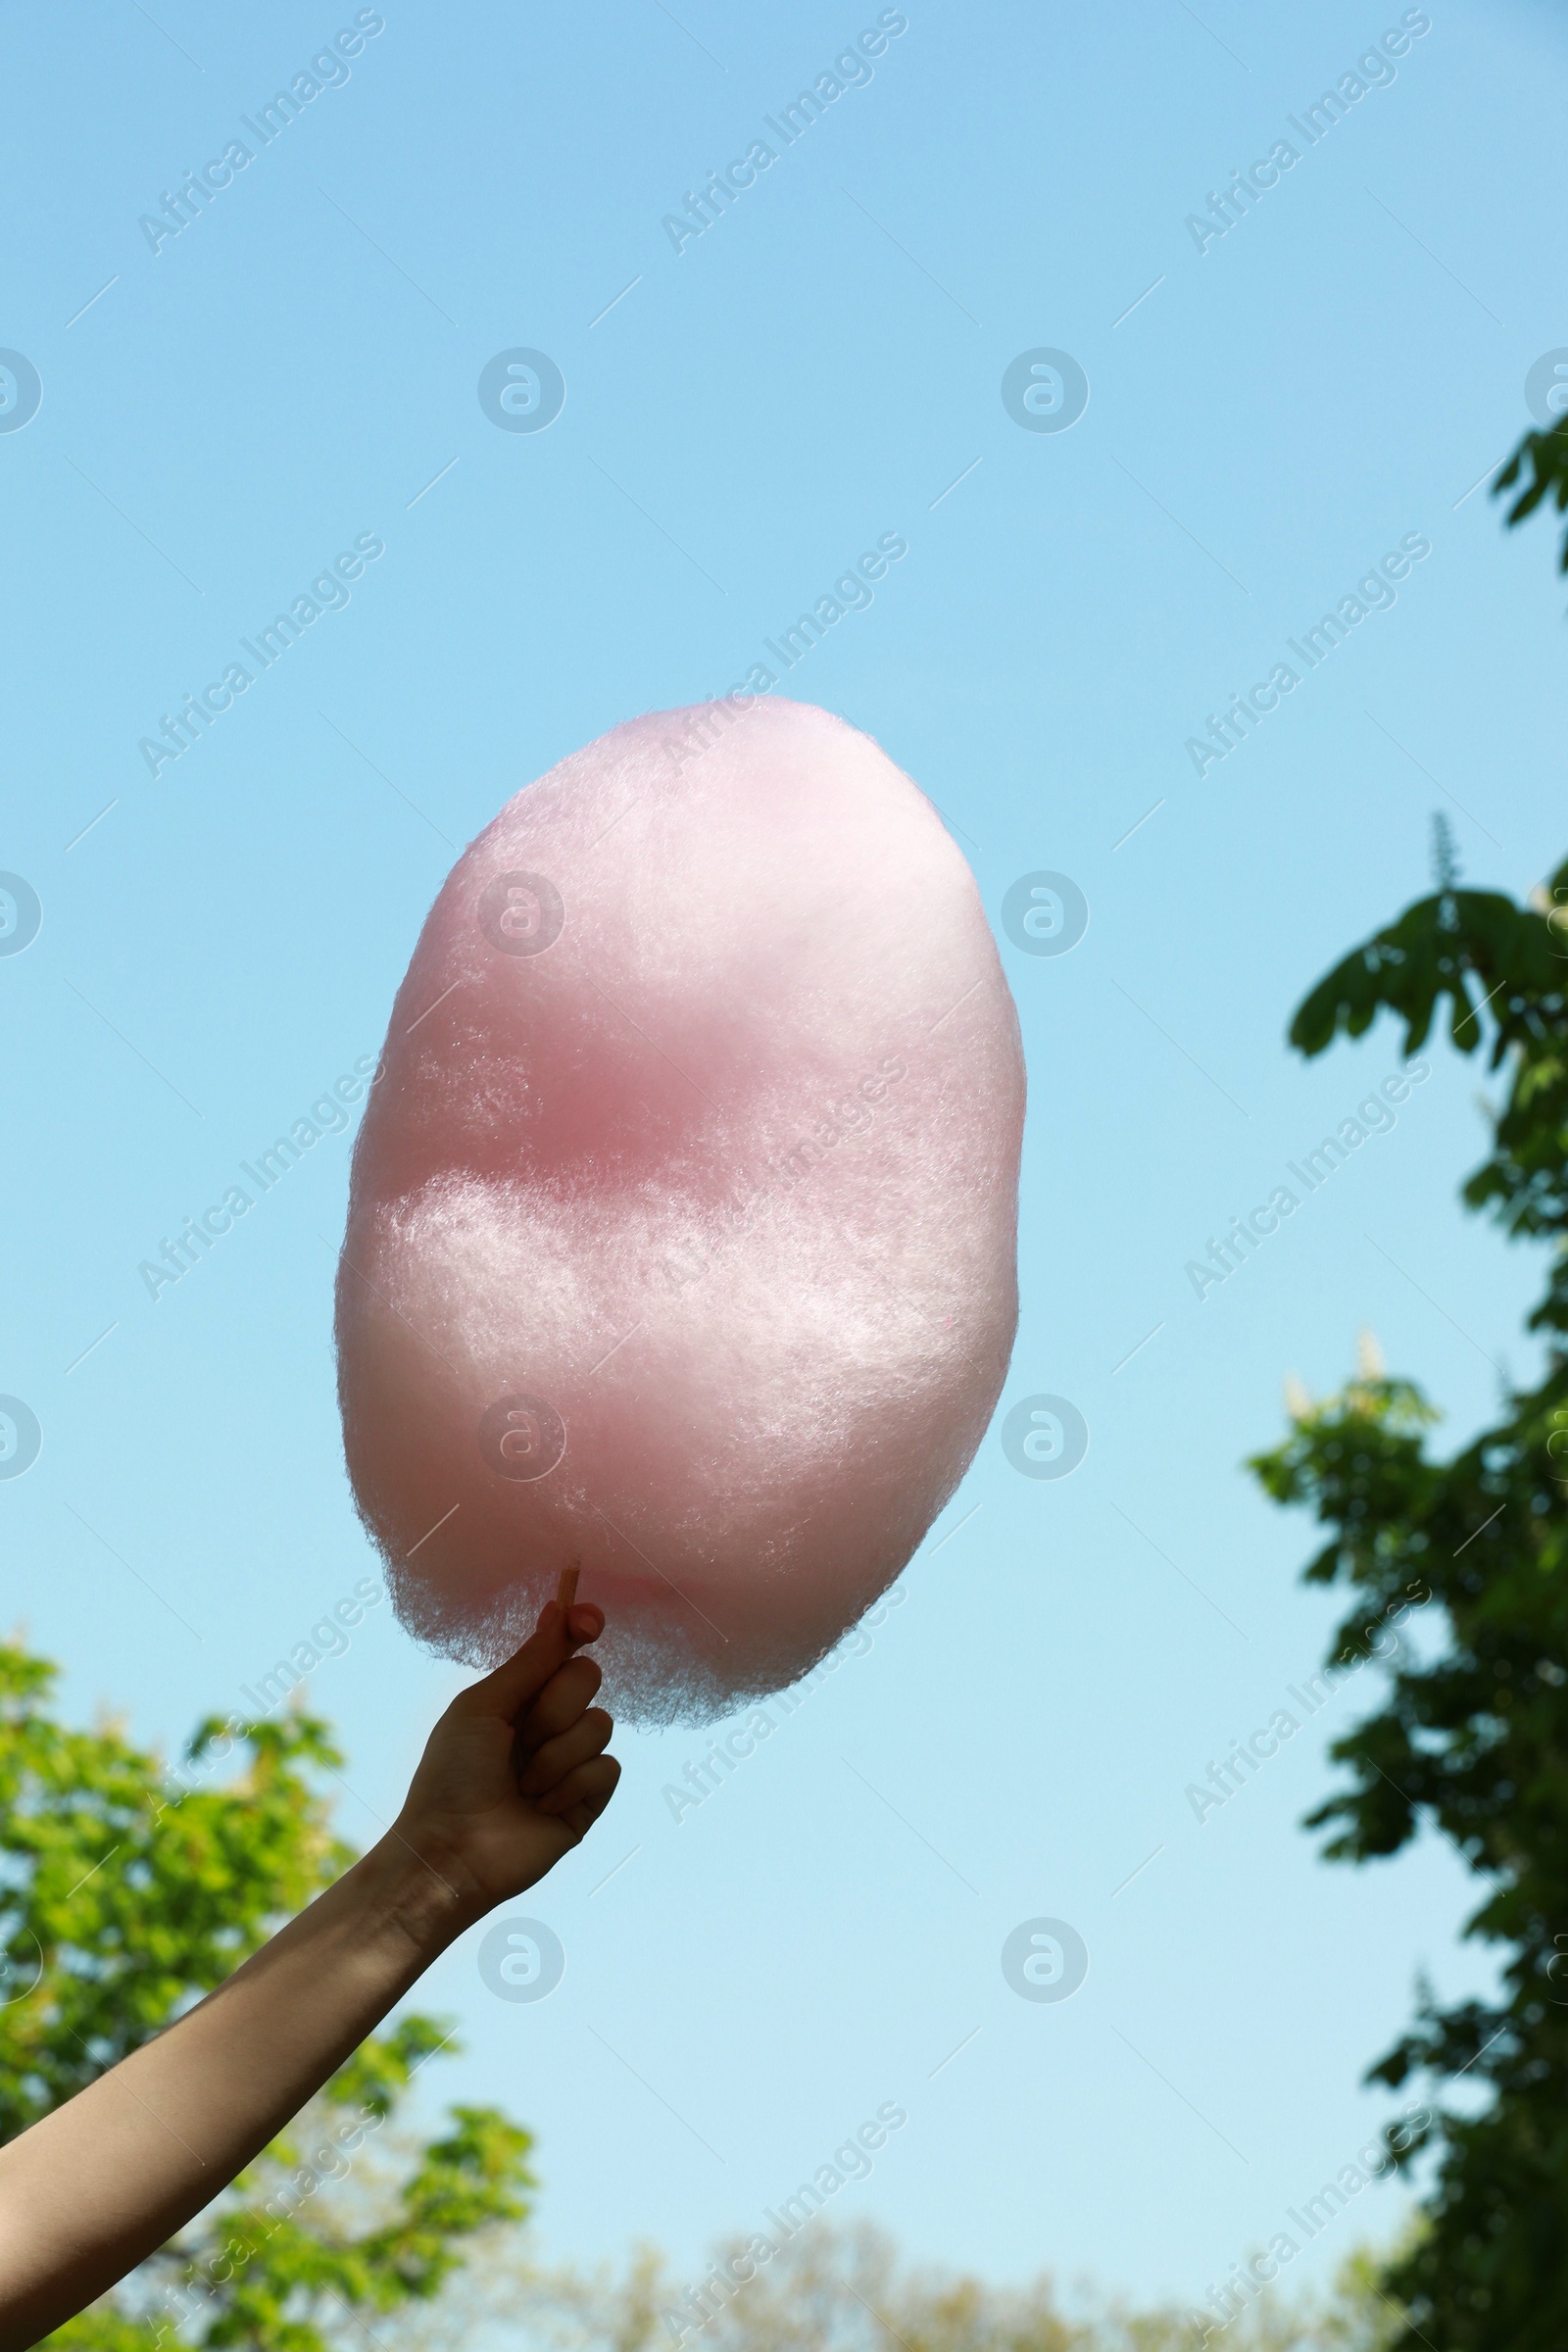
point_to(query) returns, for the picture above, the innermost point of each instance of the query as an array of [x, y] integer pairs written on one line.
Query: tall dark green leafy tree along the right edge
[[1473, 1737]]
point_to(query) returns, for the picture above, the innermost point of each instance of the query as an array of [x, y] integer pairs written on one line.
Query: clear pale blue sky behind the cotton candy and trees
[[1271, 413]]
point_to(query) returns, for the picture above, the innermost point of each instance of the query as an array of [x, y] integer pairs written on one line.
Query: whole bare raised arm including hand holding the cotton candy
[[511, 1779]]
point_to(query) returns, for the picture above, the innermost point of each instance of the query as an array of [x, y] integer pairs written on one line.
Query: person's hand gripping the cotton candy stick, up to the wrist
[[516, 1770]]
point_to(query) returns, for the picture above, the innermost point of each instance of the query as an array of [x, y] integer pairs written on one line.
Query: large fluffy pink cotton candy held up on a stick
[[683, 1224]]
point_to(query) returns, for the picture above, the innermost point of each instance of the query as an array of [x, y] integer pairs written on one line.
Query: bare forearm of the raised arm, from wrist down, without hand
[[93, 2189]]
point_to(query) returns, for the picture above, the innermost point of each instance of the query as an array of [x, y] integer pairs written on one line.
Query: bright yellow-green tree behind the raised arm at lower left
[[126, 1895]]
